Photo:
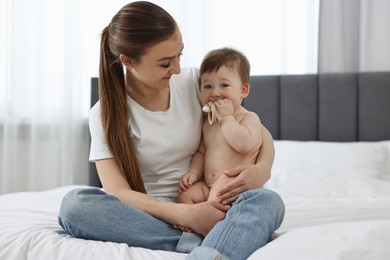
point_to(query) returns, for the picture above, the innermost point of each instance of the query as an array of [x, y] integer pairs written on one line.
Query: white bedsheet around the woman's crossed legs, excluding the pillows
[[327, 228]]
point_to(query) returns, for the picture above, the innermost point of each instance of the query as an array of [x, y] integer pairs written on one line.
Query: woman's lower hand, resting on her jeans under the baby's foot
[[202, 217]]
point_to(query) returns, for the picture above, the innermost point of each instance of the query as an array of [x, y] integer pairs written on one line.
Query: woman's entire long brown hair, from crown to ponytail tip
[[135, 28]]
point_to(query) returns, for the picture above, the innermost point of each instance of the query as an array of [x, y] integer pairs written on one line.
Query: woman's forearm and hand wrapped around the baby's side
[[250, 177]]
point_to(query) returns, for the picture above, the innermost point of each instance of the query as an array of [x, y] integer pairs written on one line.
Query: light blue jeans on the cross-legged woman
[[249, 224]]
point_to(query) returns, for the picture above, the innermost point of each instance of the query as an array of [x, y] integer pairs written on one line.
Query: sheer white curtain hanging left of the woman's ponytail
[[42, 140]]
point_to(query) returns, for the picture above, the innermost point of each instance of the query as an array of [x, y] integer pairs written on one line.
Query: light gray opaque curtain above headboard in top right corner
[[354, 36]]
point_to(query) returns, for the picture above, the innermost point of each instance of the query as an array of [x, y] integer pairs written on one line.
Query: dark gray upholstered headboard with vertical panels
[[324, 107]]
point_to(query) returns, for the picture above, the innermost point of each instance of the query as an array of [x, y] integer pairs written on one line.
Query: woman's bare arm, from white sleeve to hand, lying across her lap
[[192, 216]]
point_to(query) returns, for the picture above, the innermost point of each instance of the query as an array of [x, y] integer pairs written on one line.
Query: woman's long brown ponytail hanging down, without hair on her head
[[115, 114]]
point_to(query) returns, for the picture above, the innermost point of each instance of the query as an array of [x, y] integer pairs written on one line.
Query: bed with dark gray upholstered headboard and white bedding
[[332, 169]]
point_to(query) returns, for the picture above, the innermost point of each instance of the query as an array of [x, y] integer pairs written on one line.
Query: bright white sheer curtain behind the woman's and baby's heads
[[278, 37]]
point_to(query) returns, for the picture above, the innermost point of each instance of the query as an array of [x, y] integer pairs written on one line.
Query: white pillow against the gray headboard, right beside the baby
[[357, 159]]
